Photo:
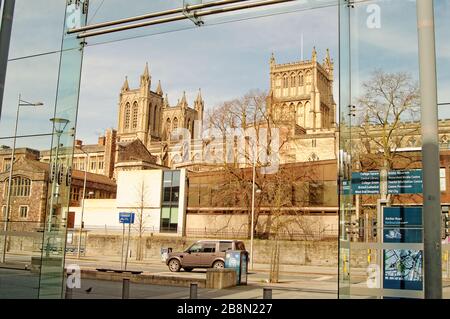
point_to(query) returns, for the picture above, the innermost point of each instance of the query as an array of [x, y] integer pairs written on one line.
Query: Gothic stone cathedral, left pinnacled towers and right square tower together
[[300, 100]]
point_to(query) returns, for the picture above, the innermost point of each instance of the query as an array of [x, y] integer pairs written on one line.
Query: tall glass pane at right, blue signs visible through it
[[380, 147]]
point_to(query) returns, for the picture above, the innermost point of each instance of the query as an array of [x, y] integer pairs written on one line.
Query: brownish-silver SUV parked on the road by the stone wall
[[203, 254]]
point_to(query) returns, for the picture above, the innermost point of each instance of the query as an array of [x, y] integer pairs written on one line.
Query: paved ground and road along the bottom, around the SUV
[[295, 282]]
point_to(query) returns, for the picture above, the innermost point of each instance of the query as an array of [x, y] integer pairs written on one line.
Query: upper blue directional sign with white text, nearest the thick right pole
[[405, 182]]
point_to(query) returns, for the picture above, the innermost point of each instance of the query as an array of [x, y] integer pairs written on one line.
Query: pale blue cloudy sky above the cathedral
[[225, 59]]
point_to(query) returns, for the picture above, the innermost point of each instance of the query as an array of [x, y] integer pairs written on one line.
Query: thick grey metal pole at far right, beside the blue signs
[[430, 151]]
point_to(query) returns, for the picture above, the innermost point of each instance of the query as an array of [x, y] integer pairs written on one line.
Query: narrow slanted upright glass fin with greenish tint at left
[[64, 124]]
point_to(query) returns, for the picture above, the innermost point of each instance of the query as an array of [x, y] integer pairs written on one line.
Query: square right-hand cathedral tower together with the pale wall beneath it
[[301, 101]]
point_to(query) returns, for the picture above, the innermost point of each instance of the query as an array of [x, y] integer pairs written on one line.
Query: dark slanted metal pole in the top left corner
[[5, 37]]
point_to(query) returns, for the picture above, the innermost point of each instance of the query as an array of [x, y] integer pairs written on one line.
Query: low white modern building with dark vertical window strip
[[157, 197]]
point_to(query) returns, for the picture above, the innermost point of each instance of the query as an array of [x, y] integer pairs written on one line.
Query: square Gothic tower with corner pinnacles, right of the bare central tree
[[301, 94]]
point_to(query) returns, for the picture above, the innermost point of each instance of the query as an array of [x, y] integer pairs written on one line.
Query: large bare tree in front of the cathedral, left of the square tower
[[240, 115]]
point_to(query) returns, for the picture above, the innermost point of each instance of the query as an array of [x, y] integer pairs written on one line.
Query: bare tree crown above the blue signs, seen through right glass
[[387, 115]]
